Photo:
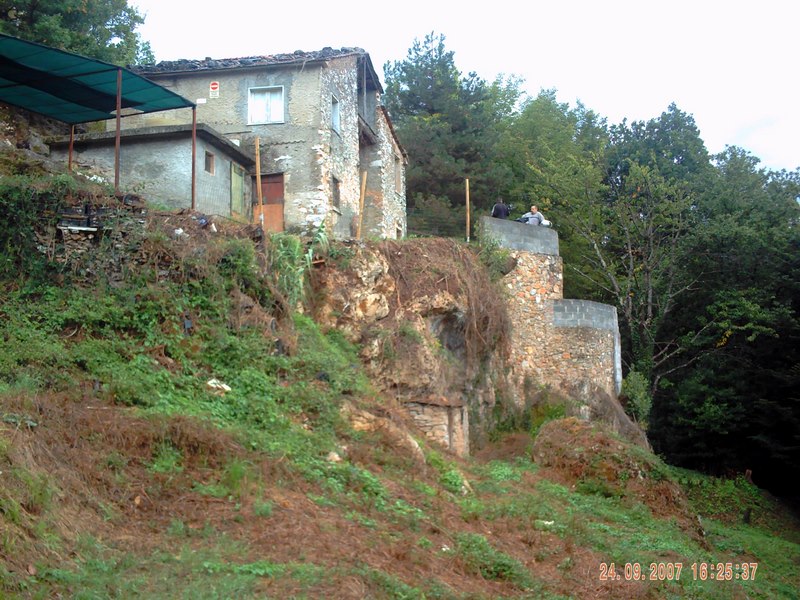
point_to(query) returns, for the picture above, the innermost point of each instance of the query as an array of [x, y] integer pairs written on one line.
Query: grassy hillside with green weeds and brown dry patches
[[173, 426]]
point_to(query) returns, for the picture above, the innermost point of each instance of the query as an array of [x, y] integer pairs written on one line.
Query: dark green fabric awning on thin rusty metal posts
[[72, 88]]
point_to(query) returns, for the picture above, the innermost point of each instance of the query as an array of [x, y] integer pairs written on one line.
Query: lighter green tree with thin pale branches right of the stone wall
[[634, 239]]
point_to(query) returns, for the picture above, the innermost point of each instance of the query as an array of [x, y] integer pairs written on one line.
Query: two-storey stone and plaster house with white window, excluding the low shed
[[321, 130]]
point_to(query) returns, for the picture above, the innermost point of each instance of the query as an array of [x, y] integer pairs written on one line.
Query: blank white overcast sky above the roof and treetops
[[733, 65]]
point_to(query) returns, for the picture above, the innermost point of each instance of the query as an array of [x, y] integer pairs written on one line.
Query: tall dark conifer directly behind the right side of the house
[[450, 124]]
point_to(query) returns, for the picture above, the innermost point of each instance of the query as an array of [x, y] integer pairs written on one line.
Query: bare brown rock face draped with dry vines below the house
[[414, 310]]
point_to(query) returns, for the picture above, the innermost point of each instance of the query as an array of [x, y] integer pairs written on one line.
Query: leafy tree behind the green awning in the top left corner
[[102, 29]]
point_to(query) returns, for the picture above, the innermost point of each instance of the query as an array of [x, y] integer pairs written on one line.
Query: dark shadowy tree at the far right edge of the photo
[[730, 401]]
